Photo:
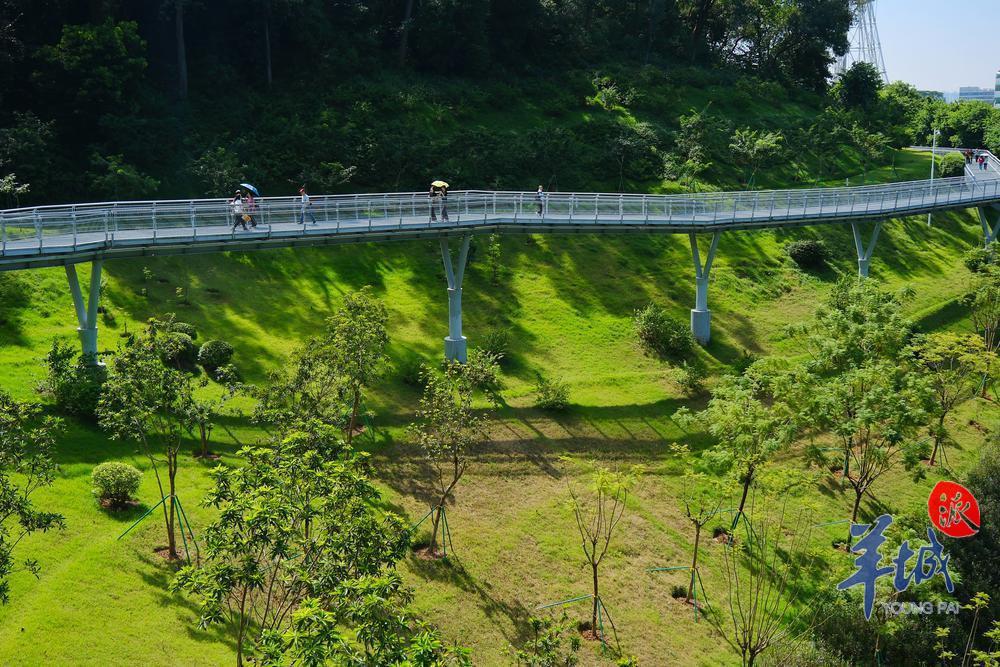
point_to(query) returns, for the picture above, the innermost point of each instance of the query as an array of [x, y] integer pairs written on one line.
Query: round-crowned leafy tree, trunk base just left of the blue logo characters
[[875, 412]]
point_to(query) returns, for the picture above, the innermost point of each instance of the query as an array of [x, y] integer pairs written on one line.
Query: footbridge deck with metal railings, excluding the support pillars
[[85, 227]]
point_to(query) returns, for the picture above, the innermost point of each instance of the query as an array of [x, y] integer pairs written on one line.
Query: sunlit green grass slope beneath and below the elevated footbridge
[[568, 302]]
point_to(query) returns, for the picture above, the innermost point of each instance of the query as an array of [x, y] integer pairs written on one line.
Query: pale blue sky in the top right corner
[[940, 44]]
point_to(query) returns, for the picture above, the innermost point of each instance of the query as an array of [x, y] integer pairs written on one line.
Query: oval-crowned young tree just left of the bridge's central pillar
[[355, 339]]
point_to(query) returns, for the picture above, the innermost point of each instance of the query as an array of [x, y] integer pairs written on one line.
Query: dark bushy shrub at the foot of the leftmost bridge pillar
[[73, 384]]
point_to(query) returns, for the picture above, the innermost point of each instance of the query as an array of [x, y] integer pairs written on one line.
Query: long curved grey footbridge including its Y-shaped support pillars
[[70, 234]]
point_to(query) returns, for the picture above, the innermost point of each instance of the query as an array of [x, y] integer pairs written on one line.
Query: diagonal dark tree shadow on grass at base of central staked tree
[[516, 630]]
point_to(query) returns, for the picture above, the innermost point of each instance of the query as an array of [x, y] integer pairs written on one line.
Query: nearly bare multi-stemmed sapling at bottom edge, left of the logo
[[761, 574]]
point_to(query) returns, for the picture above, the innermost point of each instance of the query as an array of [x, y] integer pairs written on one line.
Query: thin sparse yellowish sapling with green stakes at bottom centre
[[598, 513]]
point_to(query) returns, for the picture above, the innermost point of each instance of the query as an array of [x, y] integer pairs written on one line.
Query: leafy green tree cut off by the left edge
[[26, 443]]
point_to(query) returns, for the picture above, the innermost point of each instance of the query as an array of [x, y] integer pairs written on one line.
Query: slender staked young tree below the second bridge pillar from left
[[448, 428]]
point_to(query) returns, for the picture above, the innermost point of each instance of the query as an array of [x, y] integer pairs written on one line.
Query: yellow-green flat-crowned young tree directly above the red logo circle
[[954, 366]]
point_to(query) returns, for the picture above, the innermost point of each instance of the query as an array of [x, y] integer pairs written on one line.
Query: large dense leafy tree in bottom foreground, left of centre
[[301, 562]]
